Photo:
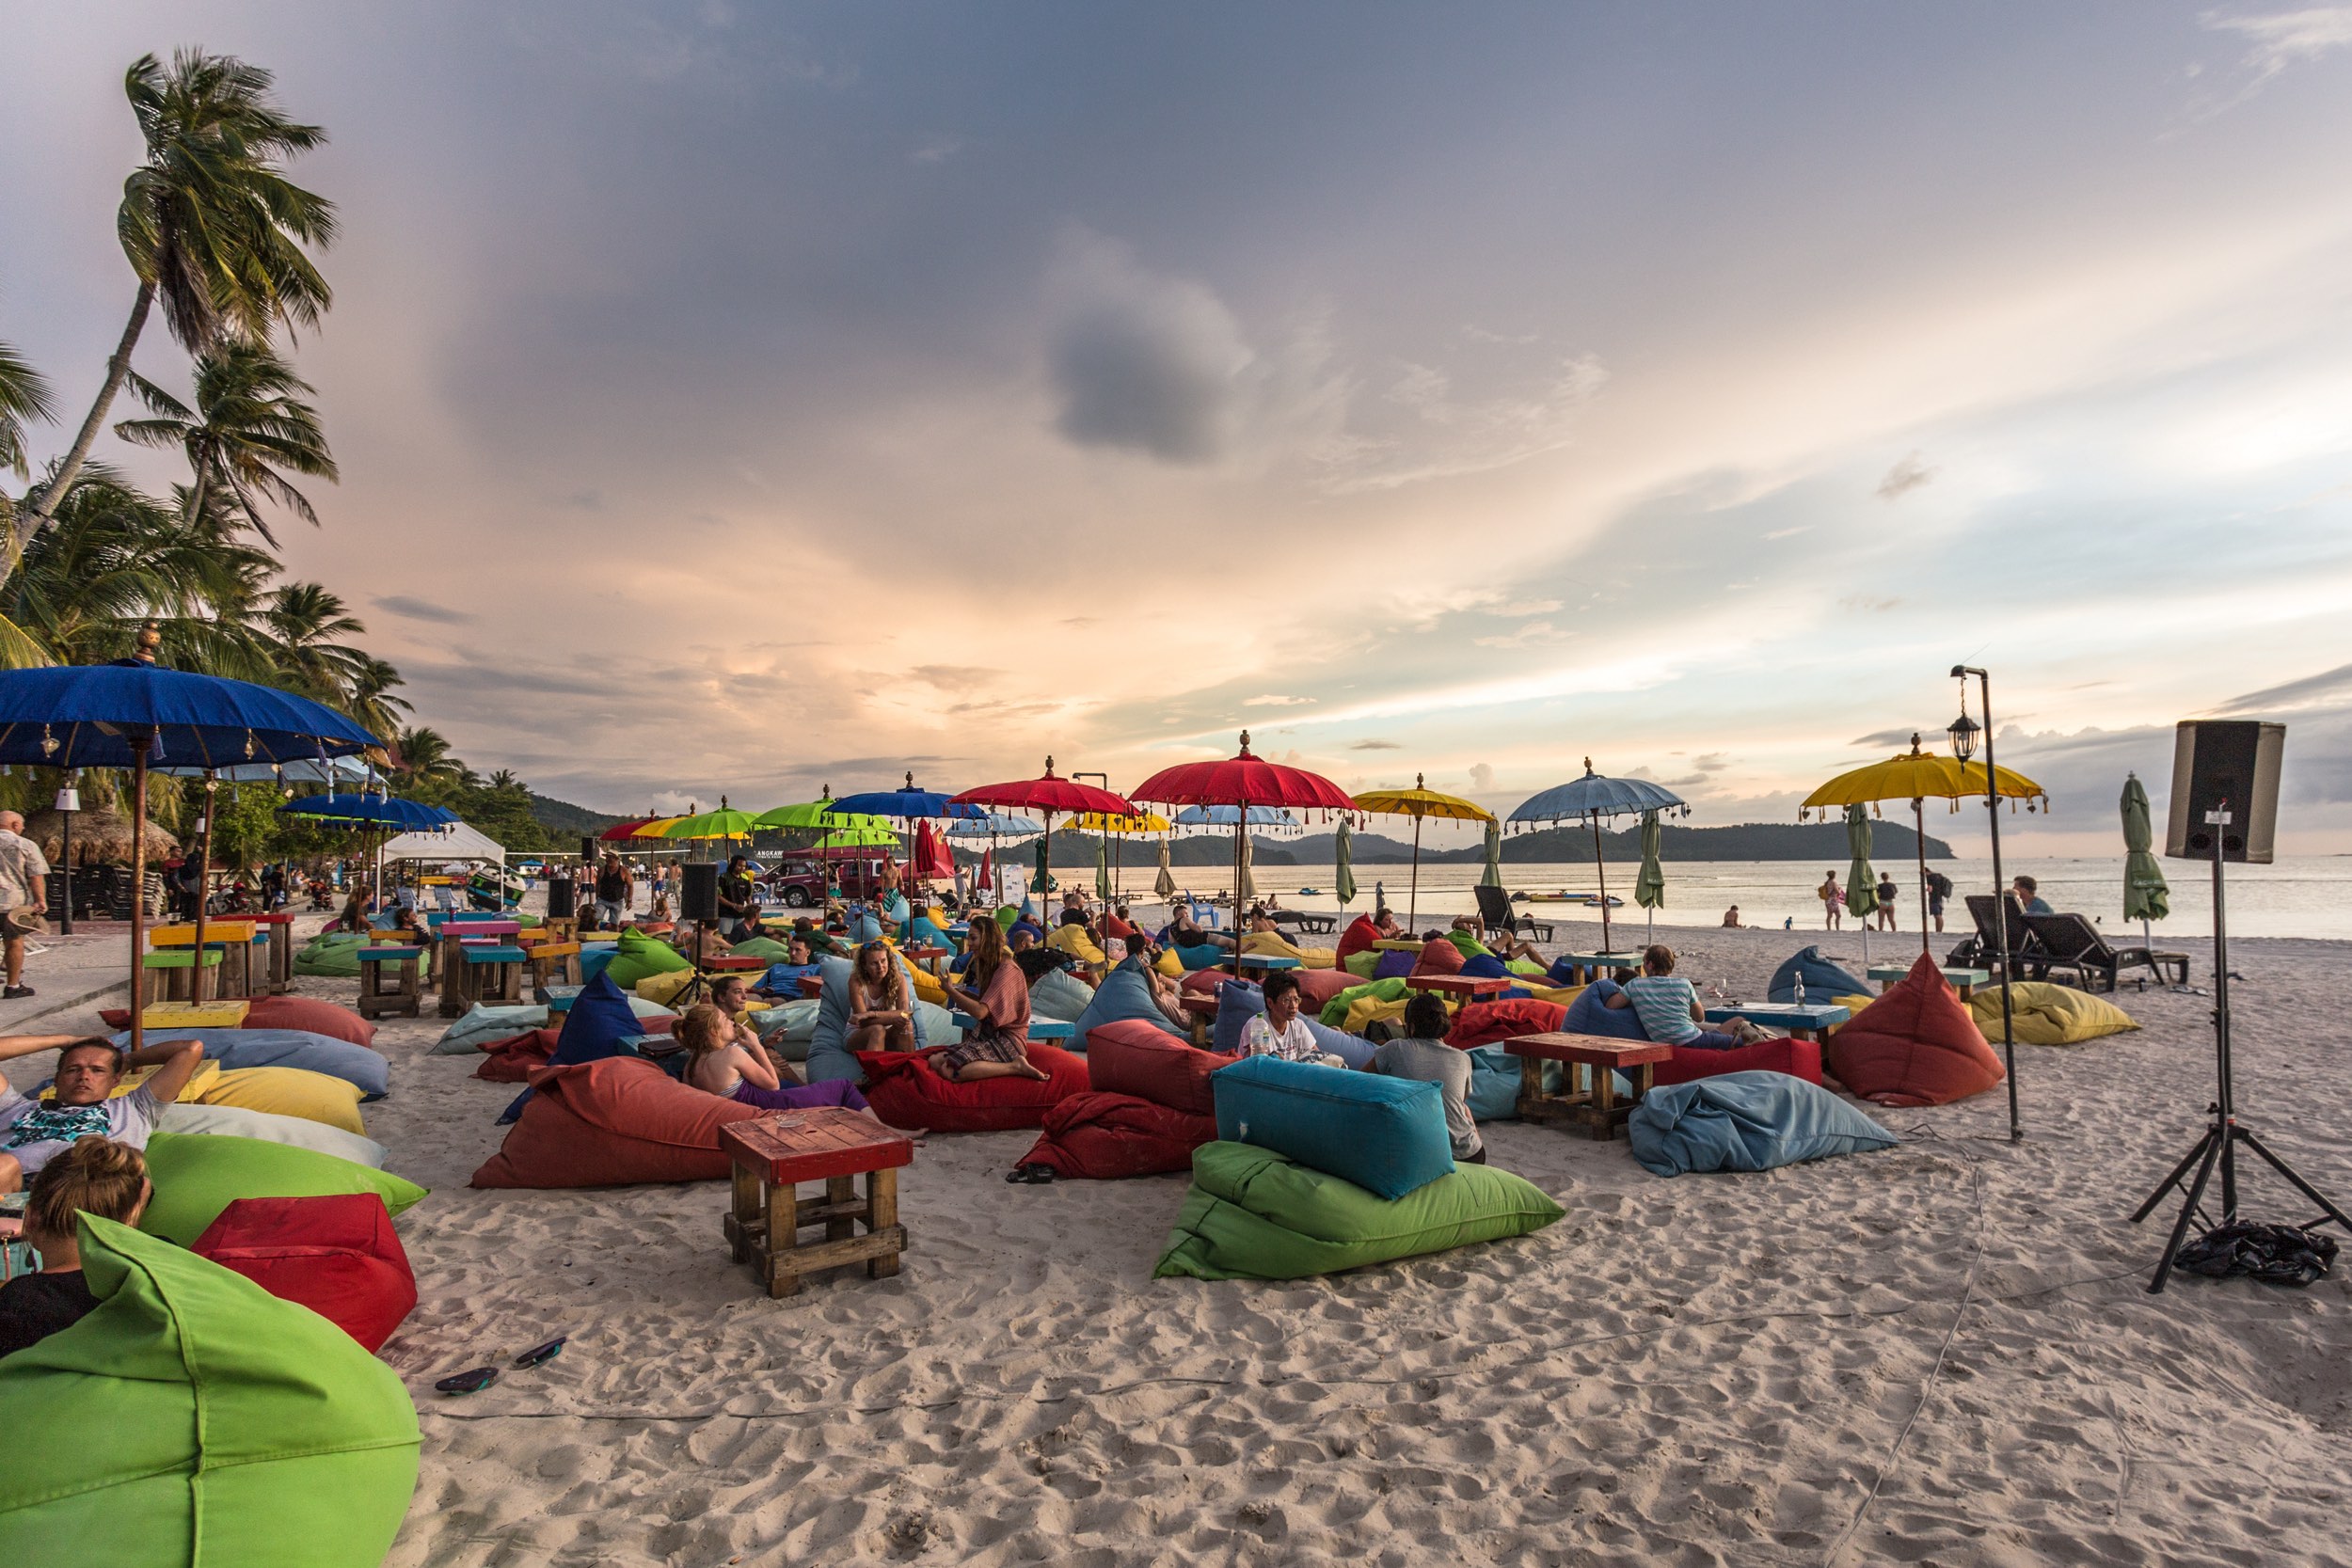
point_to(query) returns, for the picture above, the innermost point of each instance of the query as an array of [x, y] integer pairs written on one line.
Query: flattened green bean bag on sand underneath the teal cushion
[[1255, 1214]]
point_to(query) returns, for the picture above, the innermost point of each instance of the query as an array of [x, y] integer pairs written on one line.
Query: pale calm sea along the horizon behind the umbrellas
[[2292, 897]]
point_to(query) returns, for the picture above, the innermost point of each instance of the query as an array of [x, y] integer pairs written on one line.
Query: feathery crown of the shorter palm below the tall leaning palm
[[250, 422]]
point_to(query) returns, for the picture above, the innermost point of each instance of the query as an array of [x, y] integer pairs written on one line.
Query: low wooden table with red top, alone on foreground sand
[[773, 1155]]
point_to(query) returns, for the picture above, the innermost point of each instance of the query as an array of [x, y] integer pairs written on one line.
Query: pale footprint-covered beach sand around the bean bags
[[1716, 1369]]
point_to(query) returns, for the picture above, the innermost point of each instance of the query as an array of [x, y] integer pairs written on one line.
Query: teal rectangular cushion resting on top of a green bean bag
[[1382, 1134]]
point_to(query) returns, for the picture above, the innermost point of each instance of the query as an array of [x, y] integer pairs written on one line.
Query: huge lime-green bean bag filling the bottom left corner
[[220, 1428]]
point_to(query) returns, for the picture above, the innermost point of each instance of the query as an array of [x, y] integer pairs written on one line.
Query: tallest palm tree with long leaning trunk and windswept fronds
[[211, 227]]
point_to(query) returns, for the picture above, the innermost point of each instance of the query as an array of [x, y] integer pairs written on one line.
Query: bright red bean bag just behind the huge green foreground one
[[335, 1257]]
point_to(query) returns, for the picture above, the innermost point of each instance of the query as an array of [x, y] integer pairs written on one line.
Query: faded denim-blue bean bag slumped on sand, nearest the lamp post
[[1746, 1123]]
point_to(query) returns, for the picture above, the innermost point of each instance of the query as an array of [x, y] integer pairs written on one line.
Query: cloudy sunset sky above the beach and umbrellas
[[768, 398]]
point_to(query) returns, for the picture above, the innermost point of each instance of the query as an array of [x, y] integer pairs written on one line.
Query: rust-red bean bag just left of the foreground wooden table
[[613, 1123]]
